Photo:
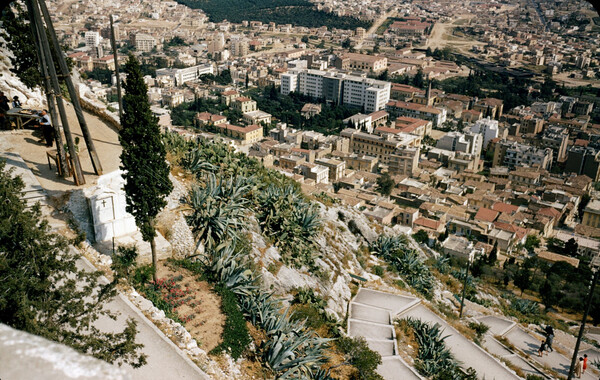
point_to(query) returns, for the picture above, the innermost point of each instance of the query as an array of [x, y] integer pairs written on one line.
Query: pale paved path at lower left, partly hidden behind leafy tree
[[165, 359]]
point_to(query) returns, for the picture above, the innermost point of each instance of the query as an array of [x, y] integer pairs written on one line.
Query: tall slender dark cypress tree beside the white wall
[[144, 157]]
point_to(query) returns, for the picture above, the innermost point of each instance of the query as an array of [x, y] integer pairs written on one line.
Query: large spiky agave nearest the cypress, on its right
[[217, 209]]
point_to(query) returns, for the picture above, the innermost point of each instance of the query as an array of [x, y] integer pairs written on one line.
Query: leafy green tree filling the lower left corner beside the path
[[44, 292]]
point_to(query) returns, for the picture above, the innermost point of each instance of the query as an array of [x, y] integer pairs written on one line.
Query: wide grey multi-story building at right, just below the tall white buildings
[[513, 154]]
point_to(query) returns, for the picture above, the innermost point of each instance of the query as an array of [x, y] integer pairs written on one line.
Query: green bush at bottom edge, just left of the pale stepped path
[[356, 352]]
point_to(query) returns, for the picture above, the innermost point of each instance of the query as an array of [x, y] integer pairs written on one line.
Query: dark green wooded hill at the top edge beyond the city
[[296, 12]]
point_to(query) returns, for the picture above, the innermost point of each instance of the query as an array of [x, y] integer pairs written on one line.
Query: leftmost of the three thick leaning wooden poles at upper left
[[62, 158]]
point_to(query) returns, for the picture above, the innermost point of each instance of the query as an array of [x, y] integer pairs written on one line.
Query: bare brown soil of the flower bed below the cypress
[[201, 310]]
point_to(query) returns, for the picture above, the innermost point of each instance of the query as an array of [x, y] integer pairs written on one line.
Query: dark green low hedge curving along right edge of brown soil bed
[[235, 332]]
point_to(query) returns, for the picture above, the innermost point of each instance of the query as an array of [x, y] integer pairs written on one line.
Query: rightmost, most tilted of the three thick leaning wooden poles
[[72, 92]]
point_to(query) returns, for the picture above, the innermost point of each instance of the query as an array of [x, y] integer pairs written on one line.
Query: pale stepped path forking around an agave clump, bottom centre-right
[[371, 316]]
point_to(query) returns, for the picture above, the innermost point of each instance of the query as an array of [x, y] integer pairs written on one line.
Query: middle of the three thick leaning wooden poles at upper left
[[77, 172]]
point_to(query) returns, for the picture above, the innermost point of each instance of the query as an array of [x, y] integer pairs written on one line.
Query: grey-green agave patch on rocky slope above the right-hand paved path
[[396, 251]]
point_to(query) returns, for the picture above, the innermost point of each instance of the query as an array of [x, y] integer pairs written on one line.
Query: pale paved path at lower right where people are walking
[[528, 345]]
